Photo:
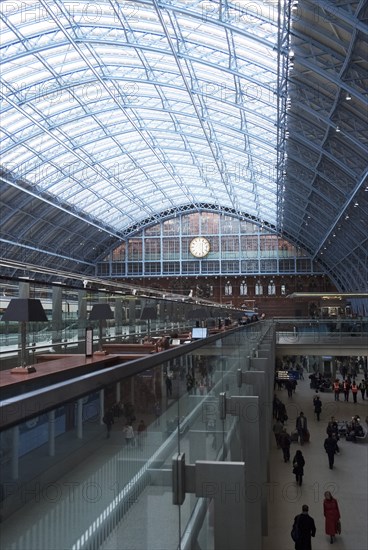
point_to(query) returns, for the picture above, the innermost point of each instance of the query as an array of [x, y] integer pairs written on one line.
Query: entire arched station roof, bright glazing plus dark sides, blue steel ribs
[[115, 115]]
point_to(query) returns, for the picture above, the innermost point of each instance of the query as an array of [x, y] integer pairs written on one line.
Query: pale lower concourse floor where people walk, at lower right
[[348, 481]]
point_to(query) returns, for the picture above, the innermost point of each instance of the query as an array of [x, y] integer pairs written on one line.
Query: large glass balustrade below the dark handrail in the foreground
[[95, 470]]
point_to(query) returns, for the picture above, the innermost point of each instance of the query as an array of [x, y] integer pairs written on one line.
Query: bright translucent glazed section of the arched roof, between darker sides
[[115, 101]]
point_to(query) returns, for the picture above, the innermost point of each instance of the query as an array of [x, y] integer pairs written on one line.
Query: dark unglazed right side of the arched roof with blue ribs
[[325, 197]]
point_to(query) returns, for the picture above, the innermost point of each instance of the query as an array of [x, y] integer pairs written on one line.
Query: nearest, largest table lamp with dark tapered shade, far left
[[24, 310]]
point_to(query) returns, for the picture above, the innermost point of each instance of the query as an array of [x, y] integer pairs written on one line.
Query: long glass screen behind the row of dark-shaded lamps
[[137, 318]]
